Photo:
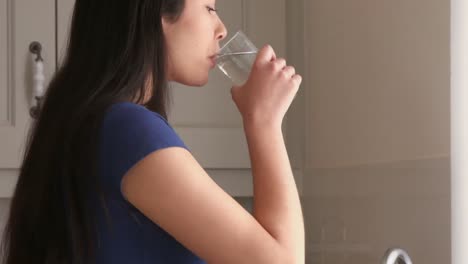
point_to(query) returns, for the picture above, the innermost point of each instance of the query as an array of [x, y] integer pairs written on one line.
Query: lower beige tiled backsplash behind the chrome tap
[[354, 214]]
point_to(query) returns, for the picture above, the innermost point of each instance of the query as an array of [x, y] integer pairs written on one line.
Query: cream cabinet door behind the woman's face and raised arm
[[205, 117]]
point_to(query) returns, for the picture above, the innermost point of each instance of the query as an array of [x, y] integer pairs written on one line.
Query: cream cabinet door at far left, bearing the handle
[[21, 22]]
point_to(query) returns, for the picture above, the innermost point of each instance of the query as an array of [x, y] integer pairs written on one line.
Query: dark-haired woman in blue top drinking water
[[106, 179]]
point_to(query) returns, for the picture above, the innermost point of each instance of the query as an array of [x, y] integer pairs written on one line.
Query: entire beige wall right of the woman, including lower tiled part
[[375, 121]]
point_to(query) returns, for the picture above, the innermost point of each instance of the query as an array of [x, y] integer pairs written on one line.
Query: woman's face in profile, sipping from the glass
[[192, 42]]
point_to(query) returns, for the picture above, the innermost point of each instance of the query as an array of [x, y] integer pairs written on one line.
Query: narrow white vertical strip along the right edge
[[459, 130]]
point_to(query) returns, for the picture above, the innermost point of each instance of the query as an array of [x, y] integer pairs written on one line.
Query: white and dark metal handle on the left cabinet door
[[38, 79]]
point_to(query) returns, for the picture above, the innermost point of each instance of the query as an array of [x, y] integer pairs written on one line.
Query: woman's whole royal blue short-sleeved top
[[130, 132]]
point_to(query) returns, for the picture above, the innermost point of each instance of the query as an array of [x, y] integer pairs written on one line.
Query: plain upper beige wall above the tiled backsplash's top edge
[[379, 80]]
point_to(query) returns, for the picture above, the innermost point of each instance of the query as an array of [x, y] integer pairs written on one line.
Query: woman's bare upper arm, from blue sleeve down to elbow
[[173, 190]]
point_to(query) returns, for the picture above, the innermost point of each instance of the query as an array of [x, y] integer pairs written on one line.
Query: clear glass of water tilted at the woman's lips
[[236, 58]]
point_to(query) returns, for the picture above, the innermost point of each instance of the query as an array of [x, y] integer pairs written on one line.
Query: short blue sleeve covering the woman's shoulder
[[130, 132]]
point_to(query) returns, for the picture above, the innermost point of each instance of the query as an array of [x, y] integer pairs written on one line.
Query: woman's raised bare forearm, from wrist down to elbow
[[276, 200]]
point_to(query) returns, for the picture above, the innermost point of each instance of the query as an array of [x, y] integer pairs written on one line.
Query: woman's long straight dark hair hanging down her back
[[115, 51]]
